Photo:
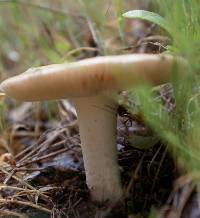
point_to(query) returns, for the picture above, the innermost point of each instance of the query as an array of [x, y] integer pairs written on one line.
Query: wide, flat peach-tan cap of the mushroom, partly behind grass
[[90, 76]]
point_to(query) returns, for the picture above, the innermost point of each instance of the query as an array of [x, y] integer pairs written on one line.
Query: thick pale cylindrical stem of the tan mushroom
[[97, 126]]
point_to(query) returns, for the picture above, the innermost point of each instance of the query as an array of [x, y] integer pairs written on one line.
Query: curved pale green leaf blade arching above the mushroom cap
[[149, 16]]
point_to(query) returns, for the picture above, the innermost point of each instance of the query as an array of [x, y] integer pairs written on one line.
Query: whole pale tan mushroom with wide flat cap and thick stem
[[91, 83]]
